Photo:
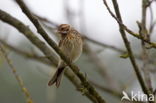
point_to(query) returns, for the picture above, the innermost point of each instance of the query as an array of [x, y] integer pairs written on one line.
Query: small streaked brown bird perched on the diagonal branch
[[71, 44]]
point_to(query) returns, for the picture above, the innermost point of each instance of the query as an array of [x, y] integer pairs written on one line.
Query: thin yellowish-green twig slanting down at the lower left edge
[[18, 78]]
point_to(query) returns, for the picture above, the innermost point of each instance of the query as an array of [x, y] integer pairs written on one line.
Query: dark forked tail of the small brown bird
[[57, 77]]
